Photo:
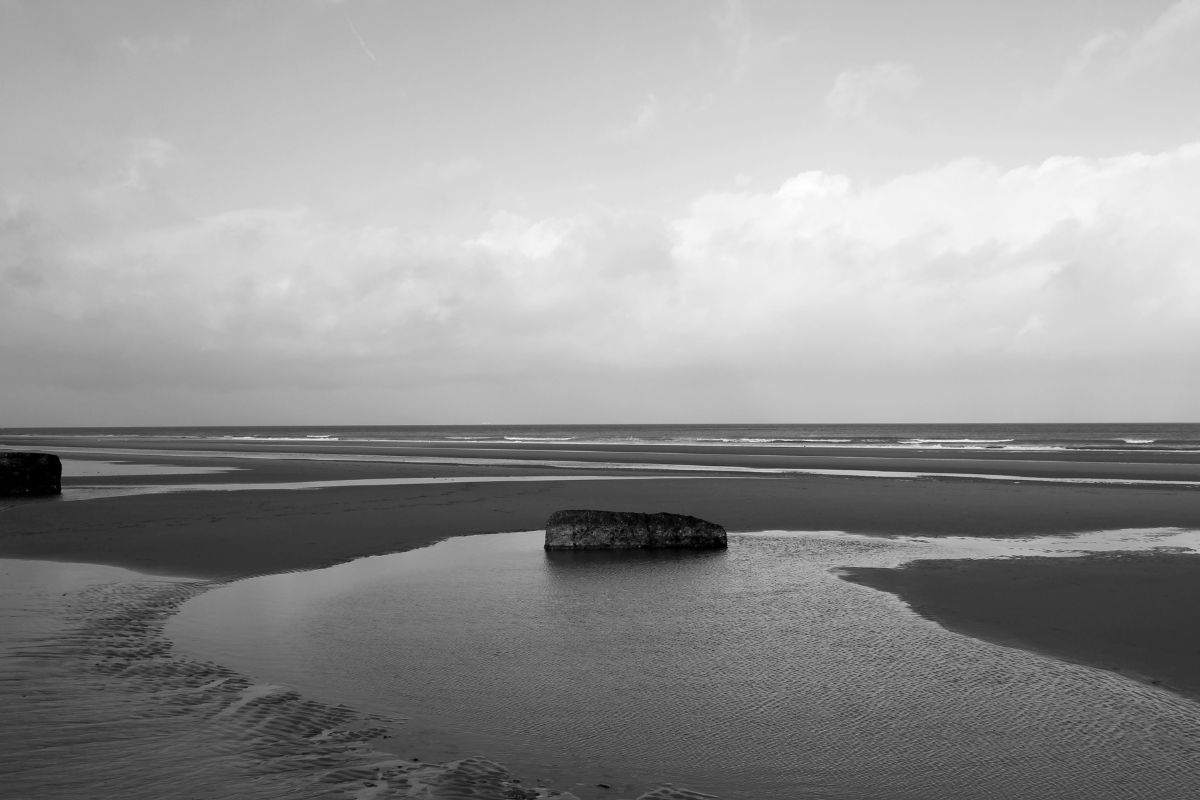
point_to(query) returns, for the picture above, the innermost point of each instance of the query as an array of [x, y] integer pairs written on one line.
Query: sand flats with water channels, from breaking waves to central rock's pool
[[227, 536]]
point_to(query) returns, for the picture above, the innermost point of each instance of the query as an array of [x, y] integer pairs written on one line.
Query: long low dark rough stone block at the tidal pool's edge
[[595, 531]]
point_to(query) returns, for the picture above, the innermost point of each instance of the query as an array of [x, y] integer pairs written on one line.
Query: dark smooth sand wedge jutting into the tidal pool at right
[[1133, 613]]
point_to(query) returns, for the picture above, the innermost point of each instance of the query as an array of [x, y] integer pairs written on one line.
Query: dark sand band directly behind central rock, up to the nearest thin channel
[[237, 534]]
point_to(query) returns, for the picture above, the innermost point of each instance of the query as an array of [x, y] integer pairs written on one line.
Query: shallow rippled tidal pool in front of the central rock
[[755, 673]]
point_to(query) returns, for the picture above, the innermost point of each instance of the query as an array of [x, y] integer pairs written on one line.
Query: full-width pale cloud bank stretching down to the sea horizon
[[1061, 290]]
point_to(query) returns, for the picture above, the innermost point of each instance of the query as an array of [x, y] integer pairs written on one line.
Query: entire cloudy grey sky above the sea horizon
[[418, 212]]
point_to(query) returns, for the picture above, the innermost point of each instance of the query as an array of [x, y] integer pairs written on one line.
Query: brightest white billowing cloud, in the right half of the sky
[[958, 261]]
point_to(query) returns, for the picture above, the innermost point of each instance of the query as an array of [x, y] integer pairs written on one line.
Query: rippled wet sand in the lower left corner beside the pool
[[97, 706]]
